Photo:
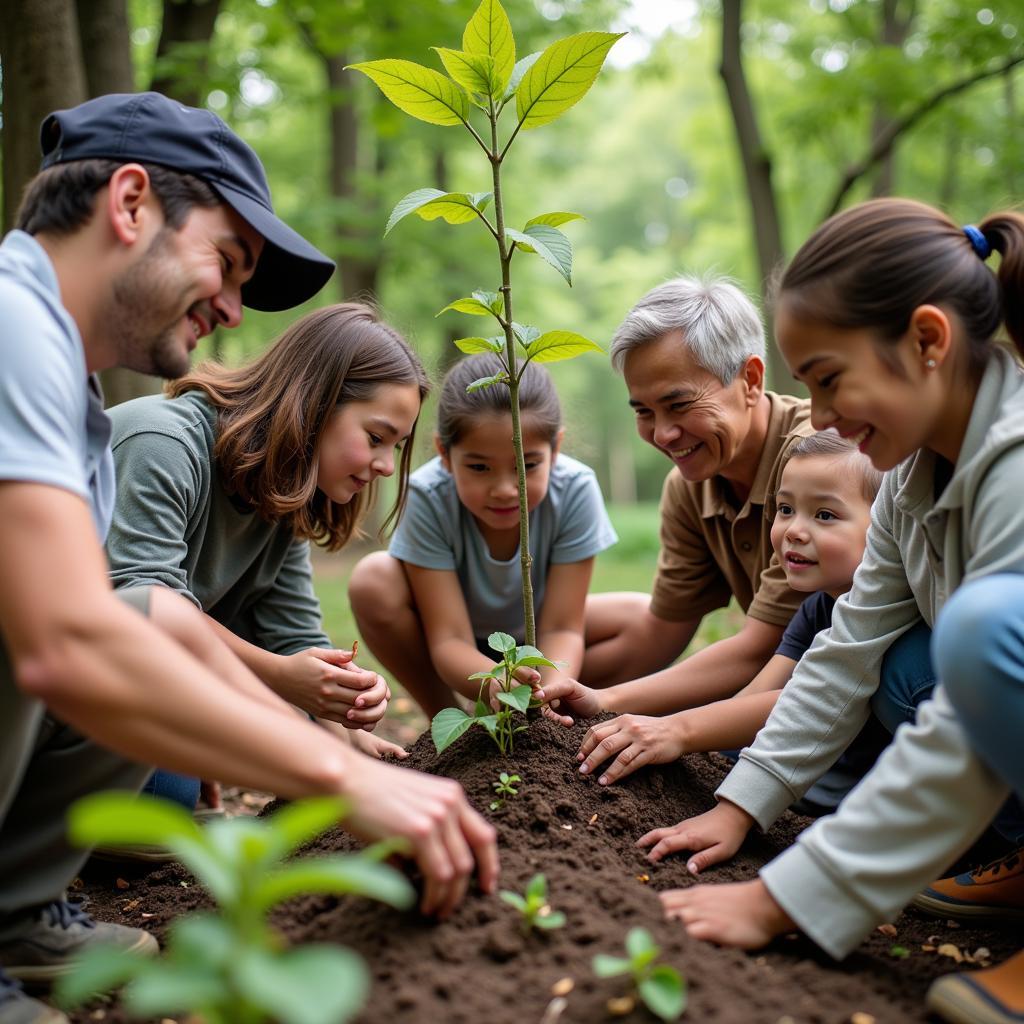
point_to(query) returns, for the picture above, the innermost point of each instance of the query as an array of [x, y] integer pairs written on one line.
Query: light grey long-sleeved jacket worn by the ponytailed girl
[[930, 795]]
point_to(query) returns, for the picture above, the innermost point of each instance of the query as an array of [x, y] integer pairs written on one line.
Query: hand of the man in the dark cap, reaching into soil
[[445, 833]]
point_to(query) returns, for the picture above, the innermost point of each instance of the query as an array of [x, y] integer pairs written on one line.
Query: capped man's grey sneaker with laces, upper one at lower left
[[39, 950]]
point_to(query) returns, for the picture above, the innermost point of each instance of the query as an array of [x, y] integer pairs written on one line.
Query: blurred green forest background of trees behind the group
[[718, 138]]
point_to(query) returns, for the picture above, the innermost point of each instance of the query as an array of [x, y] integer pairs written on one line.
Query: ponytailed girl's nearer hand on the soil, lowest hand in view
[[743, 915]]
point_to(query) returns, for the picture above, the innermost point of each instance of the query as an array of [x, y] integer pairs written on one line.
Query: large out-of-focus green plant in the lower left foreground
[[229, 966]]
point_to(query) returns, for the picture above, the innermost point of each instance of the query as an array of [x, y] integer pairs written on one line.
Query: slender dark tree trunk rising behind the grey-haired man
[[757, 170]]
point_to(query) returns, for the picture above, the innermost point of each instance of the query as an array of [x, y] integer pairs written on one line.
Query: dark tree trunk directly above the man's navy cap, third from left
[[183, 52]]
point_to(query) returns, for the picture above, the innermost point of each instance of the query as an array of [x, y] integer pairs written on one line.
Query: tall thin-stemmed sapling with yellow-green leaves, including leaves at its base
[[485, 75]]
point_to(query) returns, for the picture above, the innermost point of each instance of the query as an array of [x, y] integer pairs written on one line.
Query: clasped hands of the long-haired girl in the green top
[[328, 685]]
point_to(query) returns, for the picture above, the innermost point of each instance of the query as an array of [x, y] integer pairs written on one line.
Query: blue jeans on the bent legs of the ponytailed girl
[[978, 649]]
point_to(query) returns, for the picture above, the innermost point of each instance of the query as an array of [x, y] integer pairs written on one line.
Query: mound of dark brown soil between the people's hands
[[480, 966]]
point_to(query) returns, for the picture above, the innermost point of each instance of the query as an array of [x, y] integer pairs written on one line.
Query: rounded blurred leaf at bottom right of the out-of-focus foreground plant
[[316, 985]]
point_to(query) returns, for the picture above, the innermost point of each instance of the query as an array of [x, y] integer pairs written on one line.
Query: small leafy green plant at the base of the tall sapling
[[514, 699]]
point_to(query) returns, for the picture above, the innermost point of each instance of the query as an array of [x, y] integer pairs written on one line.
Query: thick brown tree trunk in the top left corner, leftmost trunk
[[42, 72]]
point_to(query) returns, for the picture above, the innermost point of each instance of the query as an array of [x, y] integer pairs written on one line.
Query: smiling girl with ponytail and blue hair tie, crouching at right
[[891, 315]]
